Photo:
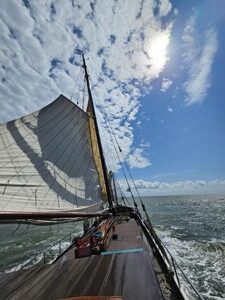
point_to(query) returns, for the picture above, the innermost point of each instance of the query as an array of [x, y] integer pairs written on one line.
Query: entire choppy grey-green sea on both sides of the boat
[[192, 228]]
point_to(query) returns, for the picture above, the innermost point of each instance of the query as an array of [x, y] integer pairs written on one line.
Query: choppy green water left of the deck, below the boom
[[20, 244]]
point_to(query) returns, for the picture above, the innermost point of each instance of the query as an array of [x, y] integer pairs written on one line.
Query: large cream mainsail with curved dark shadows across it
[[47, 162]]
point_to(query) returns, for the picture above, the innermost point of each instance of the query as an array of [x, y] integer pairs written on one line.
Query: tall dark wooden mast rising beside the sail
[[91, 113]]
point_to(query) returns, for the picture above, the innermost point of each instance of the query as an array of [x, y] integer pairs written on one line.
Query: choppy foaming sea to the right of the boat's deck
[[193, 229]]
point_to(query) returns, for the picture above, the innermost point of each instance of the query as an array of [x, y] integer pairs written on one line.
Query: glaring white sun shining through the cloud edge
[[158, 51]]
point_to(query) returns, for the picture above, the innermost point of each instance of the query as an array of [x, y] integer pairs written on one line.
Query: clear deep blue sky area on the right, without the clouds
[[187, 142]]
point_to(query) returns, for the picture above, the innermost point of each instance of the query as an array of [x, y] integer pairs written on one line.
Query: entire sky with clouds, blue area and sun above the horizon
[[157, 67]]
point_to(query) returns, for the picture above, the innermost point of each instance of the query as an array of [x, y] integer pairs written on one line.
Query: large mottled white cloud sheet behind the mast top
[[38, 41]]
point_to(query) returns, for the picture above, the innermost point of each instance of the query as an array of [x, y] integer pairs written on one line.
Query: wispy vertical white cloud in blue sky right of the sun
[[199, 53]]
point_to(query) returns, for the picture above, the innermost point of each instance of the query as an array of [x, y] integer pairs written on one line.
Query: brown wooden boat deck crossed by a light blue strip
[[128, 273]]
